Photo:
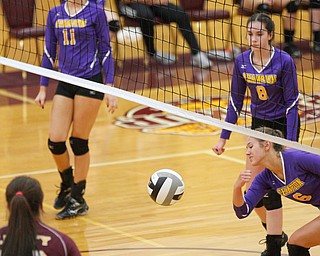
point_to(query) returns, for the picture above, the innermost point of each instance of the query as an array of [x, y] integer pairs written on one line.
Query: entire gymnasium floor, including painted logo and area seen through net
[[128, 146]]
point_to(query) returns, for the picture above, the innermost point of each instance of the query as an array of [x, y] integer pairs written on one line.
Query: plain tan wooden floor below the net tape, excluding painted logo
[[123, 220]]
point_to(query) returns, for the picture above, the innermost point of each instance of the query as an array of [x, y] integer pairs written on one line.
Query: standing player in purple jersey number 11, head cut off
[[80, 29]]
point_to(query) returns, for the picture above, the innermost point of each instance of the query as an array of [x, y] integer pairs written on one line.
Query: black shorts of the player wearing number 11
[[70, 90]]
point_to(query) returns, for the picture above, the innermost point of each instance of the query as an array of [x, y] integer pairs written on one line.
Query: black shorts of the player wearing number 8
[[278, 124]]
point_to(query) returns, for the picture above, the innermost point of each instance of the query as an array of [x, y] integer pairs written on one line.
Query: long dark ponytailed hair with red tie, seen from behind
[[24, 198]]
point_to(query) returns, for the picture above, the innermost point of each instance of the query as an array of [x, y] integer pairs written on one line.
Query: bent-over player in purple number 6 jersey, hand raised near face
[[291, 173]]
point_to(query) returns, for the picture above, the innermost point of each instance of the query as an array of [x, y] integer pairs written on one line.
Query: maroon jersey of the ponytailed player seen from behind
[[49, 241]]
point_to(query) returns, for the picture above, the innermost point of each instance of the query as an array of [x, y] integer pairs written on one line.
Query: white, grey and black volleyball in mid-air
[[165, 187]]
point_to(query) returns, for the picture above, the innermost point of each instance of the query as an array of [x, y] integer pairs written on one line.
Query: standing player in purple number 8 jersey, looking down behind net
[[270, 76]]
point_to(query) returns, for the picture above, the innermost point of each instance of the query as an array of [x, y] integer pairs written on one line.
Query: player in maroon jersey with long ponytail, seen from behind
[[25, 233]]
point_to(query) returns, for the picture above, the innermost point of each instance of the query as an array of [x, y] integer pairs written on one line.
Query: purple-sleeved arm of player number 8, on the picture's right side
[[291, 96]]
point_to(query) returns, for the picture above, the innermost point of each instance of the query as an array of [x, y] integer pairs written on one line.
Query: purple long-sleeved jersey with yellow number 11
[[84, 43]]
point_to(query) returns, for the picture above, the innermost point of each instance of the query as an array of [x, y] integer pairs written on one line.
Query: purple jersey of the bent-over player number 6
[[301, 181]]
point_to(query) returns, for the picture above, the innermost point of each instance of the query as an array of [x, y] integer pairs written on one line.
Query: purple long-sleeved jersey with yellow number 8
[[273, 89]]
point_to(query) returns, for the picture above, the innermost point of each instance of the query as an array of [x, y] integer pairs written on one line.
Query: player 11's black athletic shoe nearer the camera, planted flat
[[73, 209]]
